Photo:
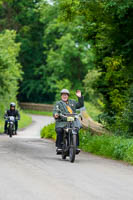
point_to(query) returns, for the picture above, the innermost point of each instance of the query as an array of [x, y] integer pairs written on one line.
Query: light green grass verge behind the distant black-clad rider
[[25, 121]]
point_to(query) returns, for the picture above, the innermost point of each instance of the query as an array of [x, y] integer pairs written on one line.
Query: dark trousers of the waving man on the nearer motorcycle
[[59, 137]]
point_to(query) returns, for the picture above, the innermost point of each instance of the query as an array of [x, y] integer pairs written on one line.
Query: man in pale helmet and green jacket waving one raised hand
[[66, 105]]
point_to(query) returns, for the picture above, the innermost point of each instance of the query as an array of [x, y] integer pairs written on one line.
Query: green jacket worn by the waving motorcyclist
[[60, 107]]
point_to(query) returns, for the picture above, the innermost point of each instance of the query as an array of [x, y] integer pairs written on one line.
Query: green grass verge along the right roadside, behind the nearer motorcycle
[[114, 147]]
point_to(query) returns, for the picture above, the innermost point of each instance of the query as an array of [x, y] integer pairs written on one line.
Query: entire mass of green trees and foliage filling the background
[[85, 45]]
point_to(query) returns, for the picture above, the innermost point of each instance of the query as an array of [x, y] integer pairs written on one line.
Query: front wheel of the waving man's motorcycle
[[72, 150]]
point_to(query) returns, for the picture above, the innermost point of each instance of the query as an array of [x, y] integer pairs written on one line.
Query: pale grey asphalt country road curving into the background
[[30, 170]]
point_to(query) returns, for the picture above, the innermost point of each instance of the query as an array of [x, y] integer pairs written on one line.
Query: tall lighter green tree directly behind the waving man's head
[[67, 56]]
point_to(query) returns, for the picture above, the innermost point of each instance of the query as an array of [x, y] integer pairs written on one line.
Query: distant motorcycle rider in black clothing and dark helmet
[[12, 112]]
